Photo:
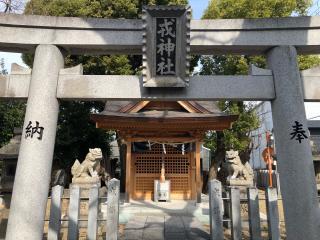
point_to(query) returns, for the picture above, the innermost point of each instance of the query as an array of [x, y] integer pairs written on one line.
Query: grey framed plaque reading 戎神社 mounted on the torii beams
[[166, 46]]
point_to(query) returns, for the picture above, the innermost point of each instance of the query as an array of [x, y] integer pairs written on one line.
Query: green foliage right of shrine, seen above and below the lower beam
[[238, 136]]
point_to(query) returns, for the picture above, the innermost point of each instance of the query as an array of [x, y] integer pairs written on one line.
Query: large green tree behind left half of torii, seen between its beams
[[76, 133]]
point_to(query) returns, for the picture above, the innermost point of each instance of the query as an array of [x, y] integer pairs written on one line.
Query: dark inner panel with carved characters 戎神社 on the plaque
[[166, 46]]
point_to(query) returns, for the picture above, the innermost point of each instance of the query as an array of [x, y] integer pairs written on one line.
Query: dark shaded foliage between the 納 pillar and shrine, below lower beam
[[76, 133]]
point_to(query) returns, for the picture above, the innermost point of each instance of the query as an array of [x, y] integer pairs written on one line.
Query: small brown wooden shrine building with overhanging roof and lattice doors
[[163, 131]]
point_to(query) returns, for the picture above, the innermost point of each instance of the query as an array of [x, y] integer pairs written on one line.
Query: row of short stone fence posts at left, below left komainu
[[74, 219]]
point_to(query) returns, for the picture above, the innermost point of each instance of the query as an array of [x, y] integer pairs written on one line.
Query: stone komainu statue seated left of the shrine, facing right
[[90, 167]]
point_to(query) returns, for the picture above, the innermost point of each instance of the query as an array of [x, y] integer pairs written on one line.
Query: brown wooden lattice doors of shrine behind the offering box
[[146, 167]]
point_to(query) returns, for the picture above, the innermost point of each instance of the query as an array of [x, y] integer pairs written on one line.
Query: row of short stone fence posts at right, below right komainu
[[234, 209]]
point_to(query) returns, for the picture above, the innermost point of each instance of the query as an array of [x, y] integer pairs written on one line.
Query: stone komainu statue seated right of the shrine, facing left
[[235, 167]]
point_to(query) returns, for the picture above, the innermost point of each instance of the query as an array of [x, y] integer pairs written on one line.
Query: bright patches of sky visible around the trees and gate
[[198, 7]]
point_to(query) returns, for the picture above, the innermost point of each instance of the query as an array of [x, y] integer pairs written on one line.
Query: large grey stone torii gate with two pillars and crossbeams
[[50, 37]]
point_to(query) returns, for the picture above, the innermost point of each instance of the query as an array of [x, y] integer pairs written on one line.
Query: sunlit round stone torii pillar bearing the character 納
[[32, 178]]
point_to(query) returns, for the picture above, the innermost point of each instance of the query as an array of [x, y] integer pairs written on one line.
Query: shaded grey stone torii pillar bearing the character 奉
[[294, 158]]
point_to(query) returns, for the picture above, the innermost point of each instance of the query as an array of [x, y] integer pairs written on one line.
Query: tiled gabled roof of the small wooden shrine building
[[148, 115]]
